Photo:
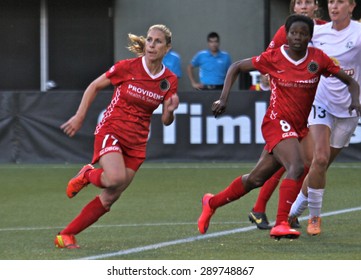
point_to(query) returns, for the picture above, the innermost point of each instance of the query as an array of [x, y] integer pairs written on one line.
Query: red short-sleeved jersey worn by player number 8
[[293, 84]]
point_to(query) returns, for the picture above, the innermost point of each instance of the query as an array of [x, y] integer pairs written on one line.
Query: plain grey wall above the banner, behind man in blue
[[241, 25]]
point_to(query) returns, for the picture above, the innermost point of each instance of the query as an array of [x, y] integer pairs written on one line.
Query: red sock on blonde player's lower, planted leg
[[88, 216]]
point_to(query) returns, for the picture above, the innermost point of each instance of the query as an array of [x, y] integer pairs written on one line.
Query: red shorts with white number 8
[[274, 131]]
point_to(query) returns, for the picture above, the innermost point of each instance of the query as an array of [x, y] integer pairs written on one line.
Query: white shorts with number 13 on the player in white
[[341, 128]]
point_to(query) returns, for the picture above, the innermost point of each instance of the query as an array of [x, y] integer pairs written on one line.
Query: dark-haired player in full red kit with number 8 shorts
[[294, 72]]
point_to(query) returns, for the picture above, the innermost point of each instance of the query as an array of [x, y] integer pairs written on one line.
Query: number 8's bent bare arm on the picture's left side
[[245, 65]]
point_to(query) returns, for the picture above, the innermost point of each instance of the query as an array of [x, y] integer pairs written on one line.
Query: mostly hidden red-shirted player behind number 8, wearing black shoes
[[258, 215]]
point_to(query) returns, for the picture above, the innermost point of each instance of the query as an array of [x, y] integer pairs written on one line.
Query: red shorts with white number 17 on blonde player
[[108, 143]]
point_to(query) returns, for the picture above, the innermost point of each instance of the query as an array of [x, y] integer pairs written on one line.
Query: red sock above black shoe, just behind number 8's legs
[[267, 190]]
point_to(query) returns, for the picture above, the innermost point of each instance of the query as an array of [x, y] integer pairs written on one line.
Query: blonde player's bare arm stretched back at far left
[[75, 122]]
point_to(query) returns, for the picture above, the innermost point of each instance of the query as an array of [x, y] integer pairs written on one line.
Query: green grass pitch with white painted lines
[[156, 217]]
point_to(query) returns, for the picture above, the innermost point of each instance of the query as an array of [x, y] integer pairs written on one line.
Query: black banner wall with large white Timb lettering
[[30, 129]]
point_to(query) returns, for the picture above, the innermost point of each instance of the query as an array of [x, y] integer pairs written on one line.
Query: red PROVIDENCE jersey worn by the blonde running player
[[136, 95]]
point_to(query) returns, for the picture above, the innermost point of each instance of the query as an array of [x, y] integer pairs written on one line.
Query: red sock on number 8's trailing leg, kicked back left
[[234, 191]]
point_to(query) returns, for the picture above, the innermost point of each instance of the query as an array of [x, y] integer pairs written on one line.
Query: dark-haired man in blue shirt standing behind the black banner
[[213, 64]]
